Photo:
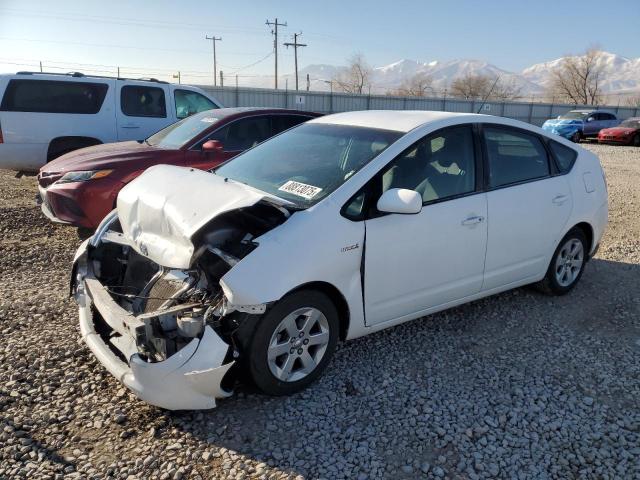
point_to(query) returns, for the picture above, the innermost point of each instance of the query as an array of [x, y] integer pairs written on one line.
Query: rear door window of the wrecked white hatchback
[[514, 156]]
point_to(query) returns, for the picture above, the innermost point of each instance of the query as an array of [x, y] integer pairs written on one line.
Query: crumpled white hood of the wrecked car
[[165, 206]]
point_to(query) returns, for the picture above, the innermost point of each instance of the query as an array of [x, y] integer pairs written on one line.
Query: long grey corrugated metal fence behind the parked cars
[[326, 102]]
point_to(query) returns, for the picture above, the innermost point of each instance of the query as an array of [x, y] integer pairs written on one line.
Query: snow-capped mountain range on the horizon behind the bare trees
[[619, 75]]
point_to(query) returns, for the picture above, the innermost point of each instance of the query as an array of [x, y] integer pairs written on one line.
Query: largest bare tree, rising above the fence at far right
[[578, 79]]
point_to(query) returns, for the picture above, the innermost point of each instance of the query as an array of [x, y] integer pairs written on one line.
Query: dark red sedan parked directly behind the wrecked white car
[[81, 187]]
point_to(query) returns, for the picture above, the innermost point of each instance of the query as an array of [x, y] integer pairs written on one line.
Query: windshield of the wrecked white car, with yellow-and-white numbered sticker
[[307, 163]]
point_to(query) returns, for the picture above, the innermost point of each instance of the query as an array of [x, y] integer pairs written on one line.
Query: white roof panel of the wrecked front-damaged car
[[401, 121]]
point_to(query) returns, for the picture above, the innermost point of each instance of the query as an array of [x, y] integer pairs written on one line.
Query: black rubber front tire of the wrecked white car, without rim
[[257, 353]]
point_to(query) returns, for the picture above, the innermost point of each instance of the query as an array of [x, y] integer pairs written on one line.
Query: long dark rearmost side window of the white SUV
[[51, 96]]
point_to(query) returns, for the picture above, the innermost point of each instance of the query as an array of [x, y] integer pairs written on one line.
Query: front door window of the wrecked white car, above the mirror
[[439, 166]]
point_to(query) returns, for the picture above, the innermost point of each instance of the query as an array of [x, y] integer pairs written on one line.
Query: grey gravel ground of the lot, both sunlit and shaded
[[520, 385]]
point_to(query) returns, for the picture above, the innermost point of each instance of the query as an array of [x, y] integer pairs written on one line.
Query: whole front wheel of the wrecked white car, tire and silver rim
[[293, 342]]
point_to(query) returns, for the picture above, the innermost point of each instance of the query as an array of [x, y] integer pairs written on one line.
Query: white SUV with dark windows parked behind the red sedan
[[45, 115]]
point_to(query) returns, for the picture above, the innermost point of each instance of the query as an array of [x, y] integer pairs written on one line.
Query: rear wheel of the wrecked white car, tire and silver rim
[[567, 264]]
